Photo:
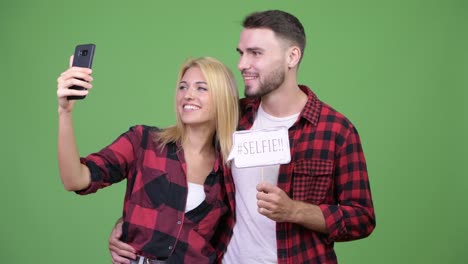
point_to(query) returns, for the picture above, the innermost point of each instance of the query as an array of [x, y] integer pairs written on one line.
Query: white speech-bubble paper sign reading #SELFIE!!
[[260, 147]]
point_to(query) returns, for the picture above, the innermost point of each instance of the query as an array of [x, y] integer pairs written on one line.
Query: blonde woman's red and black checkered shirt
[[155, 223]]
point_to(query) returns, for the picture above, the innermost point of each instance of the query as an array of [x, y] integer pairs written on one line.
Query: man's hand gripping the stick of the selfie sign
[[274, 203]]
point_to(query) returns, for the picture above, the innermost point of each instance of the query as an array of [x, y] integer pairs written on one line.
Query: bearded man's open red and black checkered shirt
[[328, 169]]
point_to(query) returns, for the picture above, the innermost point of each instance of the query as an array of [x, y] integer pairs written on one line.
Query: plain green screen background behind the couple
[[397, 69]]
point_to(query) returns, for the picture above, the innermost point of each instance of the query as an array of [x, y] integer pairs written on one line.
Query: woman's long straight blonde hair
[[223, 90]]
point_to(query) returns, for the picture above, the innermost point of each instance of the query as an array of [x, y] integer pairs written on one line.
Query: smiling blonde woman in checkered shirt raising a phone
[[174, 198]]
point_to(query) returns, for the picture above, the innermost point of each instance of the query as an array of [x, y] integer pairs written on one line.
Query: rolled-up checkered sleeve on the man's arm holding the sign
[[353, 216]]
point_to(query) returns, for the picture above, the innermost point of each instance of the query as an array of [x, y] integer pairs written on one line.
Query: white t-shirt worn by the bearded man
[[254, 238]]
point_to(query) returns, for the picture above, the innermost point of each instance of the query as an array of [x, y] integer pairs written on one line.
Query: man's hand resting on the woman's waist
[[121, 252]]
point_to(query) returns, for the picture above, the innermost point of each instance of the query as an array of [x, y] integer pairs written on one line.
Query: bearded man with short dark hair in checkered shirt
[[323, 194]]
